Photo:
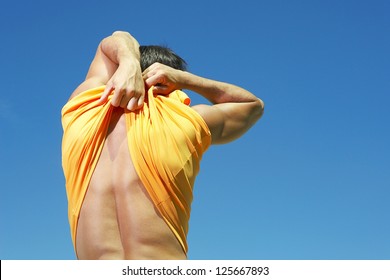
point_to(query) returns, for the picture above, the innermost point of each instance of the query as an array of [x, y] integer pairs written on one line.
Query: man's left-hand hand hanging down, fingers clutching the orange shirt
[[127, 85]]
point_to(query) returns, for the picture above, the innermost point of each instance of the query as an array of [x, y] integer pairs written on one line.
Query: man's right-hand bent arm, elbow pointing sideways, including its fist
[[234, 109]]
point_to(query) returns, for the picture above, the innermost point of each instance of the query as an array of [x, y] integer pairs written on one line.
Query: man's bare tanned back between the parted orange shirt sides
[[118, 219]]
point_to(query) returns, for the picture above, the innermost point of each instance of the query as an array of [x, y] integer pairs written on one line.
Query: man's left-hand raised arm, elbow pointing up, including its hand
[[116, 65]]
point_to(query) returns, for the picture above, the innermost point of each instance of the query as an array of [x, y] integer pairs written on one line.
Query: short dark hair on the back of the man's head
[[163, 55]]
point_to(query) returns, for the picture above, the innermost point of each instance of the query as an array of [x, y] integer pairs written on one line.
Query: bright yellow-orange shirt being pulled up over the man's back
[[166, 140]]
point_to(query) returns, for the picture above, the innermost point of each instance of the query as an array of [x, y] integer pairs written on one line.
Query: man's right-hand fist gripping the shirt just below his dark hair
[[165, 79]]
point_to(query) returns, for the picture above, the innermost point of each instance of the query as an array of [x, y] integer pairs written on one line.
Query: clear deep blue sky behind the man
[[310, 180]]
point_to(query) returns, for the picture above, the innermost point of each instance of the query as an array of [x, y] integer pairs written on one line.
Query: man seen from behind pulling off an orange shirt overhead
[[132, 146]]
